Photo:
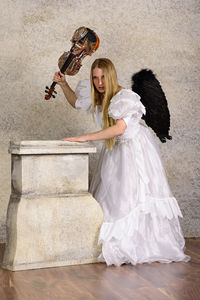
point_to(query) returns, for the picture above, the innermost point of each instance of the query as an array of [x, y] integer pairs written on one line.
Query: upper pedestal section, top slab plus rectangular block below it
[[58, 170]]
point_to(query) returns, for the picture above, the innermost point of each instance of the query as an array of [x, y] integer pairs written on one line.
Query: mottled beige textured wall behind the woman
[[161, 35]]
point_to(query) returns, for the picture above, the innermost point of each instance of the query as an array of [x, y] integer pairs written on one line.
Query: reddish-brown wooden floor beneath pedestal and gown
[[154, 281]]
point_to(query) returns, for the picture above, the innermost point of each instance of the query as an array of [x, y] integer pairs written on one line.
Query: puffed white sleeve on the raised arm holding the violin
[[83, 94]]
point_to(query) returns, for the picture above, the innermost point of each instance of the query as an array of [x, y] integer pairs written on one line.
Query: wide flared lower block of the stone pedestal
[[52, 231]]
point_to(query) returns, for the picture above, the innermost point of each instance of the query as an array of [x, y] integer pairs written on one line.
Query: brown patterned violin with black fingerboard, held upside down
[[84, 42]]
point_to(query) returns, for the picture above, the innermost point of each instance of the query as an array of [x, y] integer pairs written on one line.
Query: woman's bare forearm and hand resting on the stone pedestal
[[108, 133]]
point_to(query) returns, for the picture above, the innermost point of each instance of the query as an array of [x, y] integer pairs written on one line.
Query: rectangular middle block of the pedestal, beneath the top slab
[[58, 174]]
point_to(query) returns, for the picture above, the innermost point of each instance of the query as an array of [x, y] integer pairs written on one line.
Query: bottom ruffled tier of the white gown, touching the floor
[[142, 238]]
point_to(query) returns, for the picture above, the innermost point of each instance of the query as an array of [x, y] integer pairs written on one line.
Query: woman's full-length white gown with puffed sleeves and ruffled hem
[[140, 213]]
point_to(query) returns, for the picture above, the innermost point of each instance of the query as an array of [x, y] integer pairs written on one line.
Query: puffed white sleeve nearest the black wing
[[126, 105]]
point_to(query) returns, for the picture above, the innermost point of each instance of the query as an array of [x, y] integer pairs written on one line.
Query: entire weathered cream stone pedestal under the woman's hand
[[52, 220]]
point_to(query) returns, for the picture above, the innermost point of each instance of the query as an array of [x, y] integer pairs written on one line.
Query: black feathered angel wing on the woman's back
[[145, 84]]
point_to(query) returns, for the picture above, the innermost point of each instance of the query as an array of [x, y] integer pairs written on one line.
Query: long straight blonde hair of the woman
[[111, 88]]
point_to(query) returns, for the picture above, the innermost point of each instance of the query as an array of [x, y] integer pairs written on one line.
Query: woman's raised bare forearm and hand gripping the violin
[[68, 92]]
